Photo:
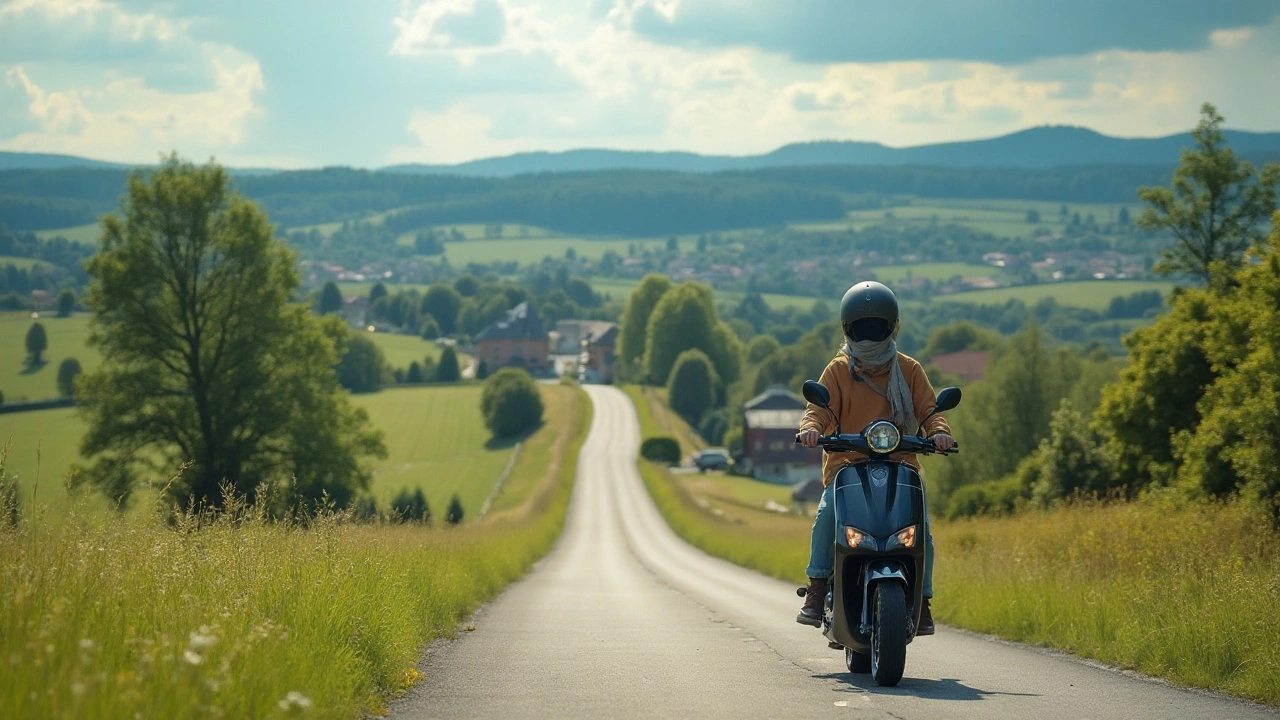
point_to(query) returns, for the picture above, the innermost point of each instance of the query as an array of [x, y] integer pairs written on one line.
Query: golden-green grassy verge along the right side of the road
[[1187, 594]]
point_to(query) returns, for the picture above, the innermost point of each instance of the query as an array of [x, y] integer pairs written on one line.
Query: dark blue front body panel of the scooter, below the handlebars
[[880, 498]]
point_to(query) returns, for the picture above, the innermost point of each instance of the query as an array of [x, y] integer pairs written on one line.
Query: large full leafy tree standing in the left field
[[205, 362]]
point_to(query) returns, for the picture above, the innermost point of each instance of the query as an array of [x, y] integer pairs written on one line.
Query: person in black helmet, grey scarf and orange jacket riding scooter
[[870, 380]]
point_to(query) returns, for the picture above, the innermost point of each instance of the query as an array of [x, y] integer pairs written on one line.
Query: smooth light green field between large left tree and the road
[[437, 441]]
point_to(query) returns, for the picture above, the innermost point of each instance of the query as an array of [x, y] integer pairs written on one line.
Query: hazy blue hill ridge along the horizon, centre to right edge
[[1050, 147]]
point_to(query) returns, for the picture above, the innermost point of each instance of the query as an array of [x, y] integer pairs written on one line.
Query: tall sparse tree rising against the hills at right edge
[[1218, 208]]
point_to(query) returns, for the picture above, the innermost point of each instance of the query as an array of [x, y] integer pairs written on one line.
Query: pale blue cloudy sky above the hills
[[296, 84]]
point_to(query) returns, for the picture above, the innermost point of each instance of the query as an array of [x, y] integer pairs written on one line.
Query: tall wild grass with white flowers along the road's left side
[[244, 618]]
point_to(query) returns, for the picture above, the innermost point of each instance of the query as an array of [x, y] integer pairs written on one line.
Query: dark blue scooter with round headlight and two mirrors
[[876, 595]]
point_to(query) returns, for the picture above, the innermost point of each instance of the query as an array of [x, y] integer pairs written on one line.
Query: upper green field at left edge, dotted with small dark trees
[[67, 339]]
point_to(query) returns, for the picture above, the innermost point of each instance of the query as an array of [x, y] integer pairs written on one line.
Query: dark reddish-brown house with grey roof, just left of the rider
[[770, 427]]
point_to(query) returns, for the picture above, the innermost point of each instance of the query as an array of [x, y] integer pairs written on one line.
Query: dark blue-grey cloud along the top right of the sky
[[995, 31]]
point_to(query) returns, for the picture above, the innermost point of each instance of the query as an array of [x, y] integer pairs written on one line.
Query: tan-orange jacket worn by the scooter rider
[[858, 405]]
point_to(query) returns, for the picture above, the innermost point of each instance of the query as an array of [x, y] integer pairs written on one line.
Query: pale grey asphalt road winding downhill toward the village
[[623, 619]]
